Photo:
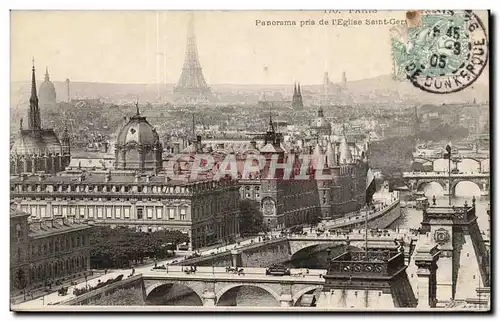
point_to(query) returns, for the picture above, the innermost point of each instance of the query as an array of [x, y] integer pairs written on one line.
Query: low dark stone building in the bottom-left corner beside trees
[[46, 250]]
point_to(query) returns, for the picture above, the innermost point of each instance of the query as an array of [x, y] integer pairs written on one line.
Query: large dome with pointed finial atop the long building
[[138, 146]]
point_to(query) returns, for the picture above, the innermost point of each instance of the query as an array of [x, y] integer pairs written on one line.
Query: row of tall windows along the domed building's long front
[[110, 212]]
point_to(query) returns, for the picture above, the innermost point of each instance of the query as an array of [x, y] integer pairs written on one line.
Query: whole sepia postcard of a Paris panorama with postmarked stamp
[[250, 160]]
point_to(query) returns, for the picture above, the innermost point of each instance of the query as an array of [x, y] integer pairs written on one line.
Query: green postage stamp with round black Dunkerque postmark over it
[[441, 51]]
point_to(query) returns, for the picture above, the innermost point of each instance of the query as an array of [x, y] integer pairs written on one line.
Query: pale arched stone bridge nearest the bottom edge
[[210, 284]]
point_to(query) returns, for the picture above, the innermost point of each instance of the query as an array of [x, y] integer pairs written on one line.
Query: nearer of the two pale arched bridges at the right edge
[[416, 181]]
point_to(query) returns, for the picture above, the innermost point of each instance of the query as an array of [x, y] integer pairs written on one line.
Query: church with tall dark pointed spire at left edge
[[37, 149]]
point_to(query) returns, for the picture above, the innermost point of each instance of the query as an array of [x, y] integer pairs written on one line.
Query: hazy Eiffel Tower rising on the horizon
[[191, 87]]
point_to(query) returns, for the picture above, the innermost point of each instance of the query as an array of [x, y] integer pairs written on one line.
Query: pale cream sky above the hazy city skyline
[[131, 47]]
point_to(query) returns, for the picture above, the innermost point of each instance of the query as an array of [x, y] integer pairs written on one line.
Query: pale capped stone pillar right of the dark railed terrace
[[426, 261]]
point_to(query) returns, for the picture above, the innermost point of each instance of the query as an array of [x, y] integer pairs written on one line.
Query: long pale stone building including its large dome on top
[[138, 193]]
